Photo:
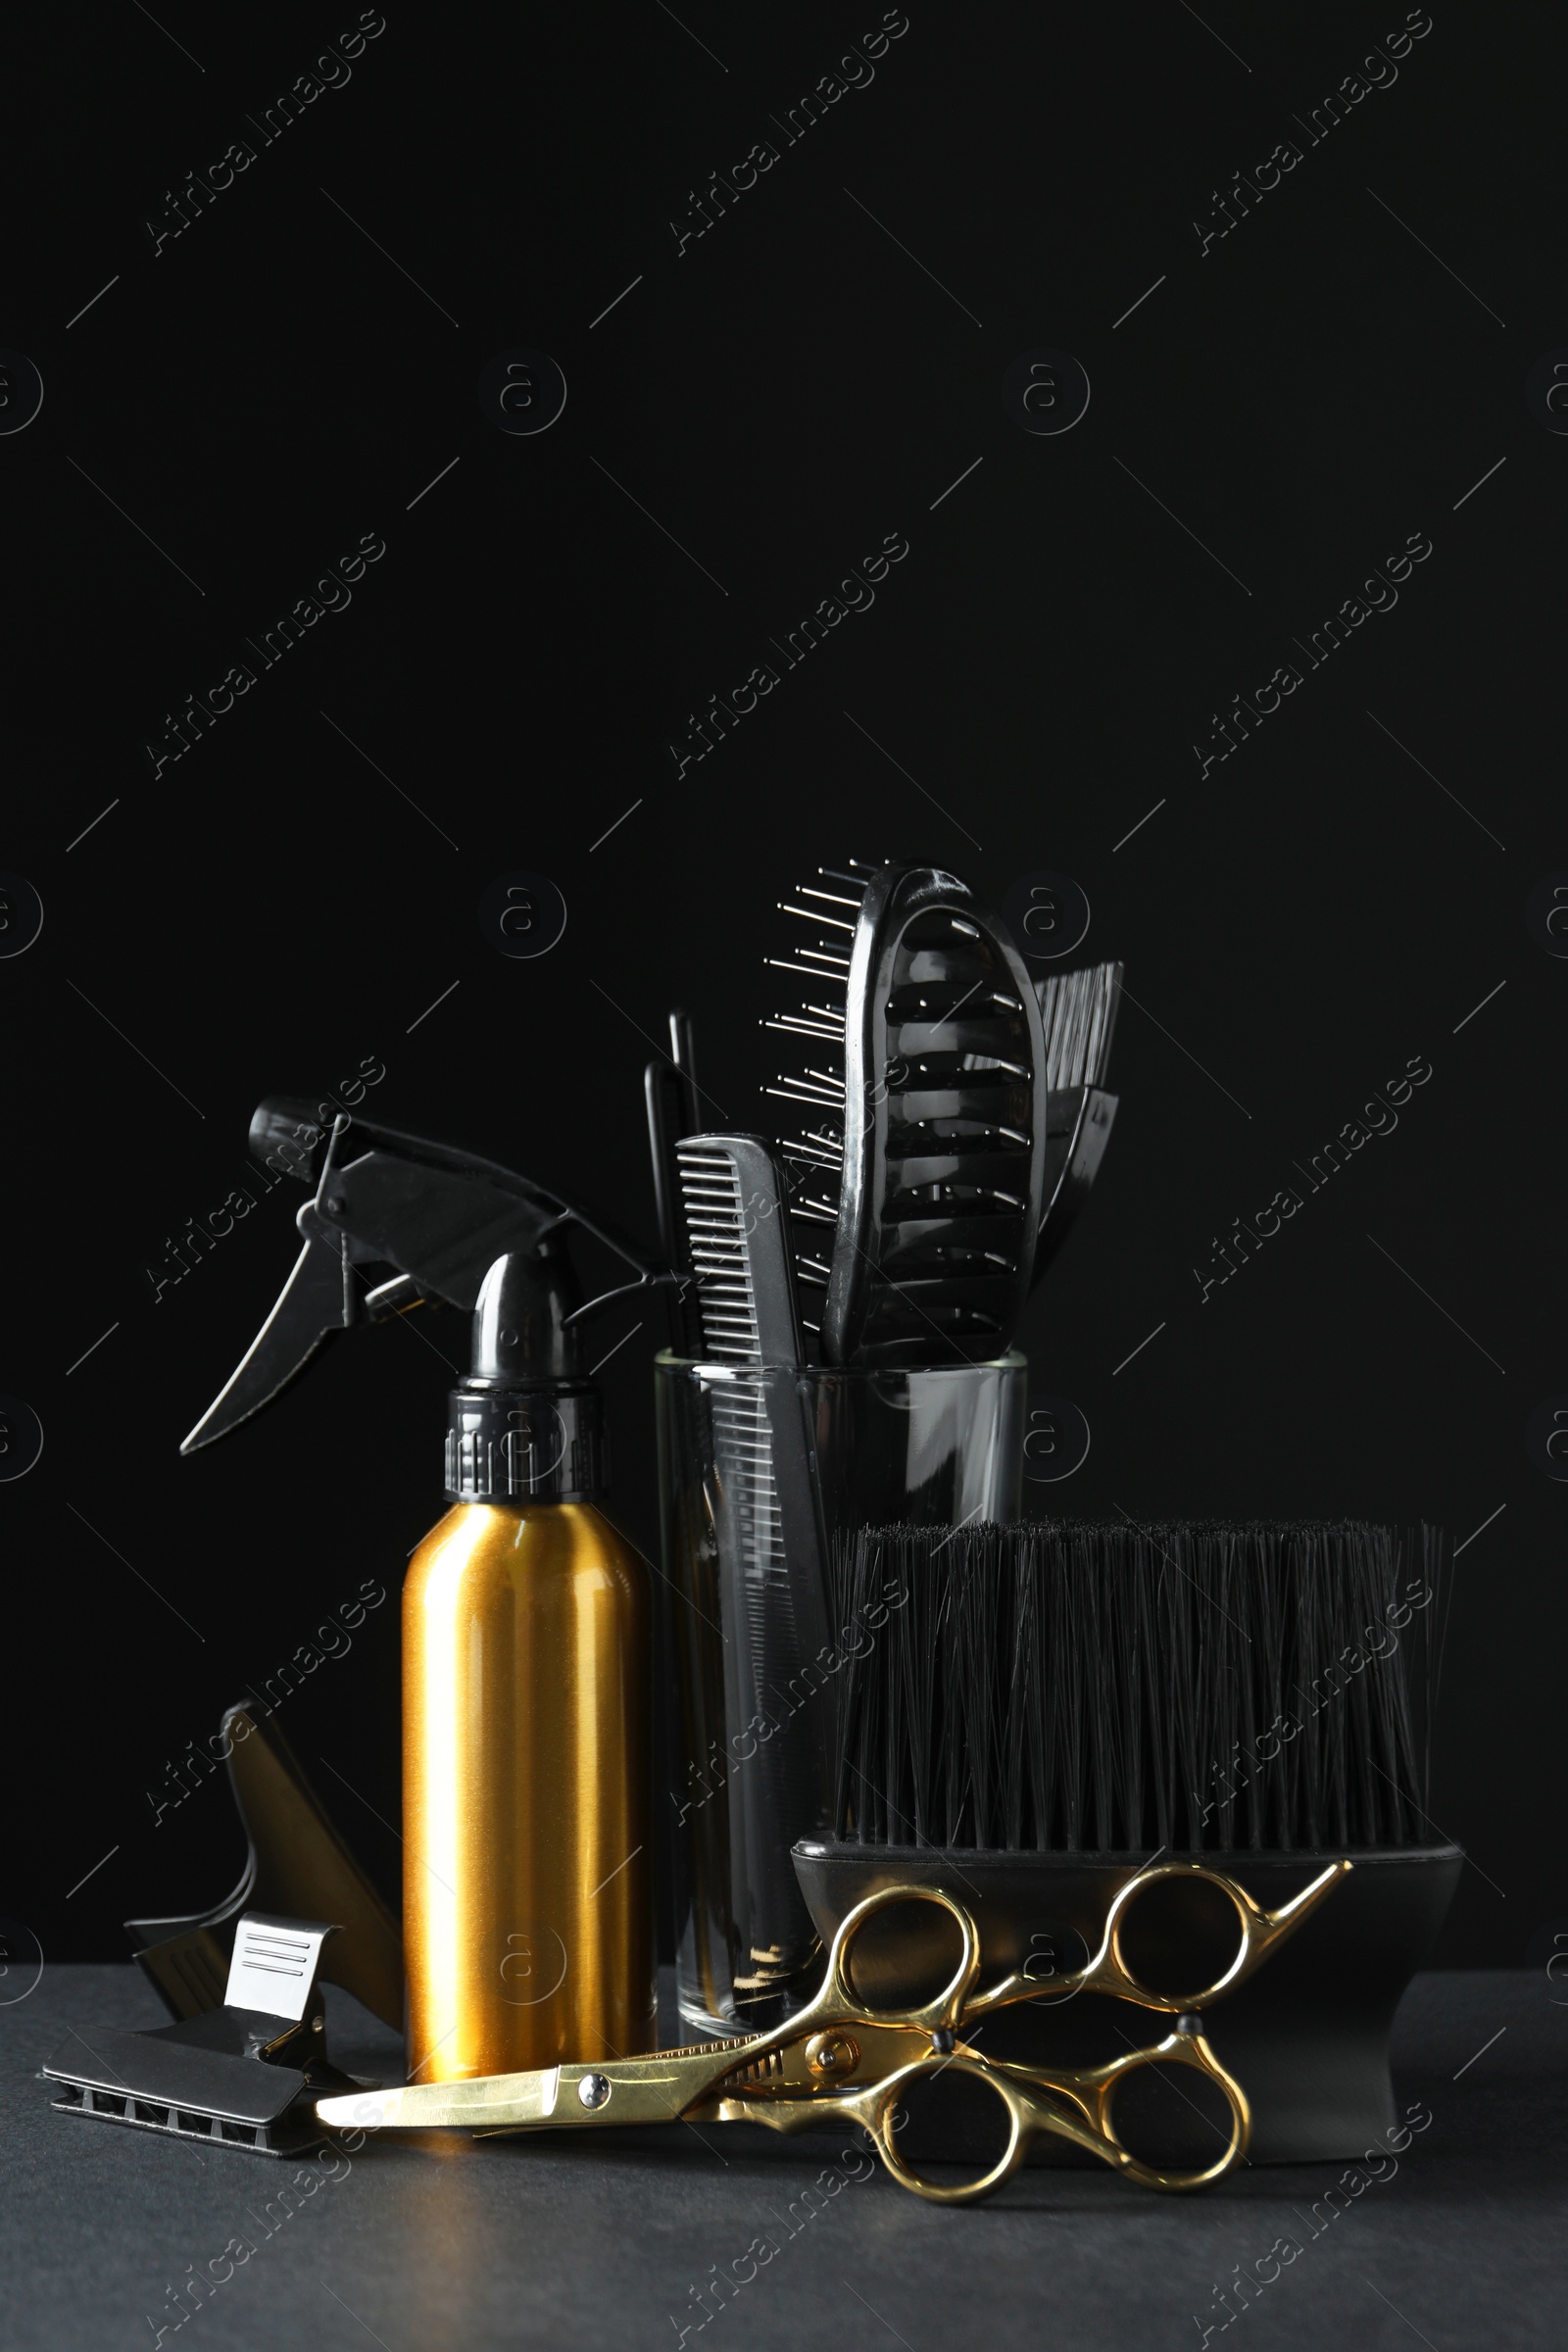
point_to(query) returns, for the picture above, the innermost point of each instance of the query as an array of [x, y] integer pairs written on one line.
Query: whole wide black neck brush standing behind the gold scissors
[[1031, 1716]]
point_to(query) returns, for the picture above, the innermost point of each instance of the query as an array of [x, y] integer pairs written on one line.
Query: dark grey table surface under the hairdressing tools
[[438, 2240]]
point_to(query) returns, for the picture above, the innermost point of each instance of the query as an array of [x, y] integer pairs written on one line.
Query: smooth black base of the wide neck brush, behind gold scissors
[[1308, 2038]]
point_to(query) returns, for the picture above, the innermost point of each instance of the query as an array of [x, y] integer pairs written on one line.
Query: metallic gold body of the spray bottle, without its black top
[[525, 1772]]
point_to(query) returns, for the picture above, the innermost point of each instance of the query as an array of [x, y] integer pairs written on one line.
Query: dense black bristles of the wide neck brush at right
[[1066, 1688]]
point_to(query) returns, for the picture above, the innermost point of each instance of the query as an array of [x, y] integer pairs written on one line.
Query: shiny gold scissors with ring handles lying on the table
[[843, 2059]]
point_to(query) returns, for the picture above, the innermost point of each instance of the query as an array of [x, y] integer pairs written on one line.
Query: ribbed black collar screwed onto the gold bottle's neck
[[525, 1445]]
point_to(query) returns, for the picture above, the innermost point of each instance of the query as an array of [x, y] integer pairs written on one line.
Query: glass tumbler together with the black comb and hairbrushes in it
[[956, 1114]]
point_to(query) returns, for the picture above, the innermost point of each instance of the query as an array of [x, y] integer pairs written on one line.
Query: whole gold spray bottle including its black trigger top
[[525, 1622]]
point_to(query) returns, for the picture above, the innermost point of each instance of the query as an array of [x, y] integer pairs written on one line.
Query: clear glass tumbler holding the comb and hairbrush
[[751, 1633]]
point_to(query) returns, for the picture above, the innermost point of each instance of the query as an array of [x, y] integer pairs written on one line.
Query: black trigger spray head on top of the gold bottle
[[398, 1222]]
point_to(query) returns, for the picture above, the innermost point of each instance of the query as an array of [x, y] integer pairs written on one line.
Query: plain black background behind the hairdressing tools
[[286, 904]]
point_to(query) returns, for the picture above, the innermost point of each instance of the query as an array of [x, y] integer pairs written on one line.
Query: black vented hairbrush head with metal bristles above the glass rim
[[916, 1194]]
